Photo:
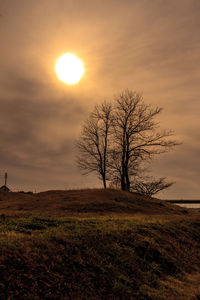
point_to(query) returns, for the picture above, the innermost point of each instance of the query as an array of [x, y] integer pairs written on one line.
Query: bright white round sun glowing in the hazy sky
[[69, 68]]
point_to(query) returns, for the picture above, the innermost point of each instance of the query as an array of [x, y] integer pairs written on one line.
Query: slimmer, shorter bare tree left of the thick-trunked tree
[[93, 143]]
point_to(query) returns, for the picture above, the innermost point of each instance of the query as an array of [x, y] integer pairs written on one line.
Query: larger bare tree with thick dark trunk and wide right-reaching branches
[[135, 135]]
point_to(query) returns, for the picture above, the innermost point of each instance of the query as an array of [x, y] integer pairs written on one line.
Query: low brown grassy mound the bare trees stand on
[[84, 202]]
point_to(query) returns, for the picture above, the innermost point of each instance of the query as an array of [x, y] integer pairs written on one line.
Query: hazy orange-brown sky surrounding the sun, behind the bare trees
[[151, 46]]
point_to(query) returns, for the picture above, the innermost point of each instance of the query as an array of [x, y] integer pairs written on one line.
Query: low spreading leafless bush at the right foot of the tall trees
[[150, 188]]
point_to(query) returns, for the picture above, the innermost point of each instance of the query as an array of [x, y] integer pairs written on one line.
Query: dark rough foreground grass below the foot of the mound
[[126, 258]]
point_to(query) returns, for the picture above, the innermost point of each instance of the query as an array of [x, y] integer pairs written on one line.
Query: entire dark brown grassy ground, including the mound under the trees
[[97, 244]]
